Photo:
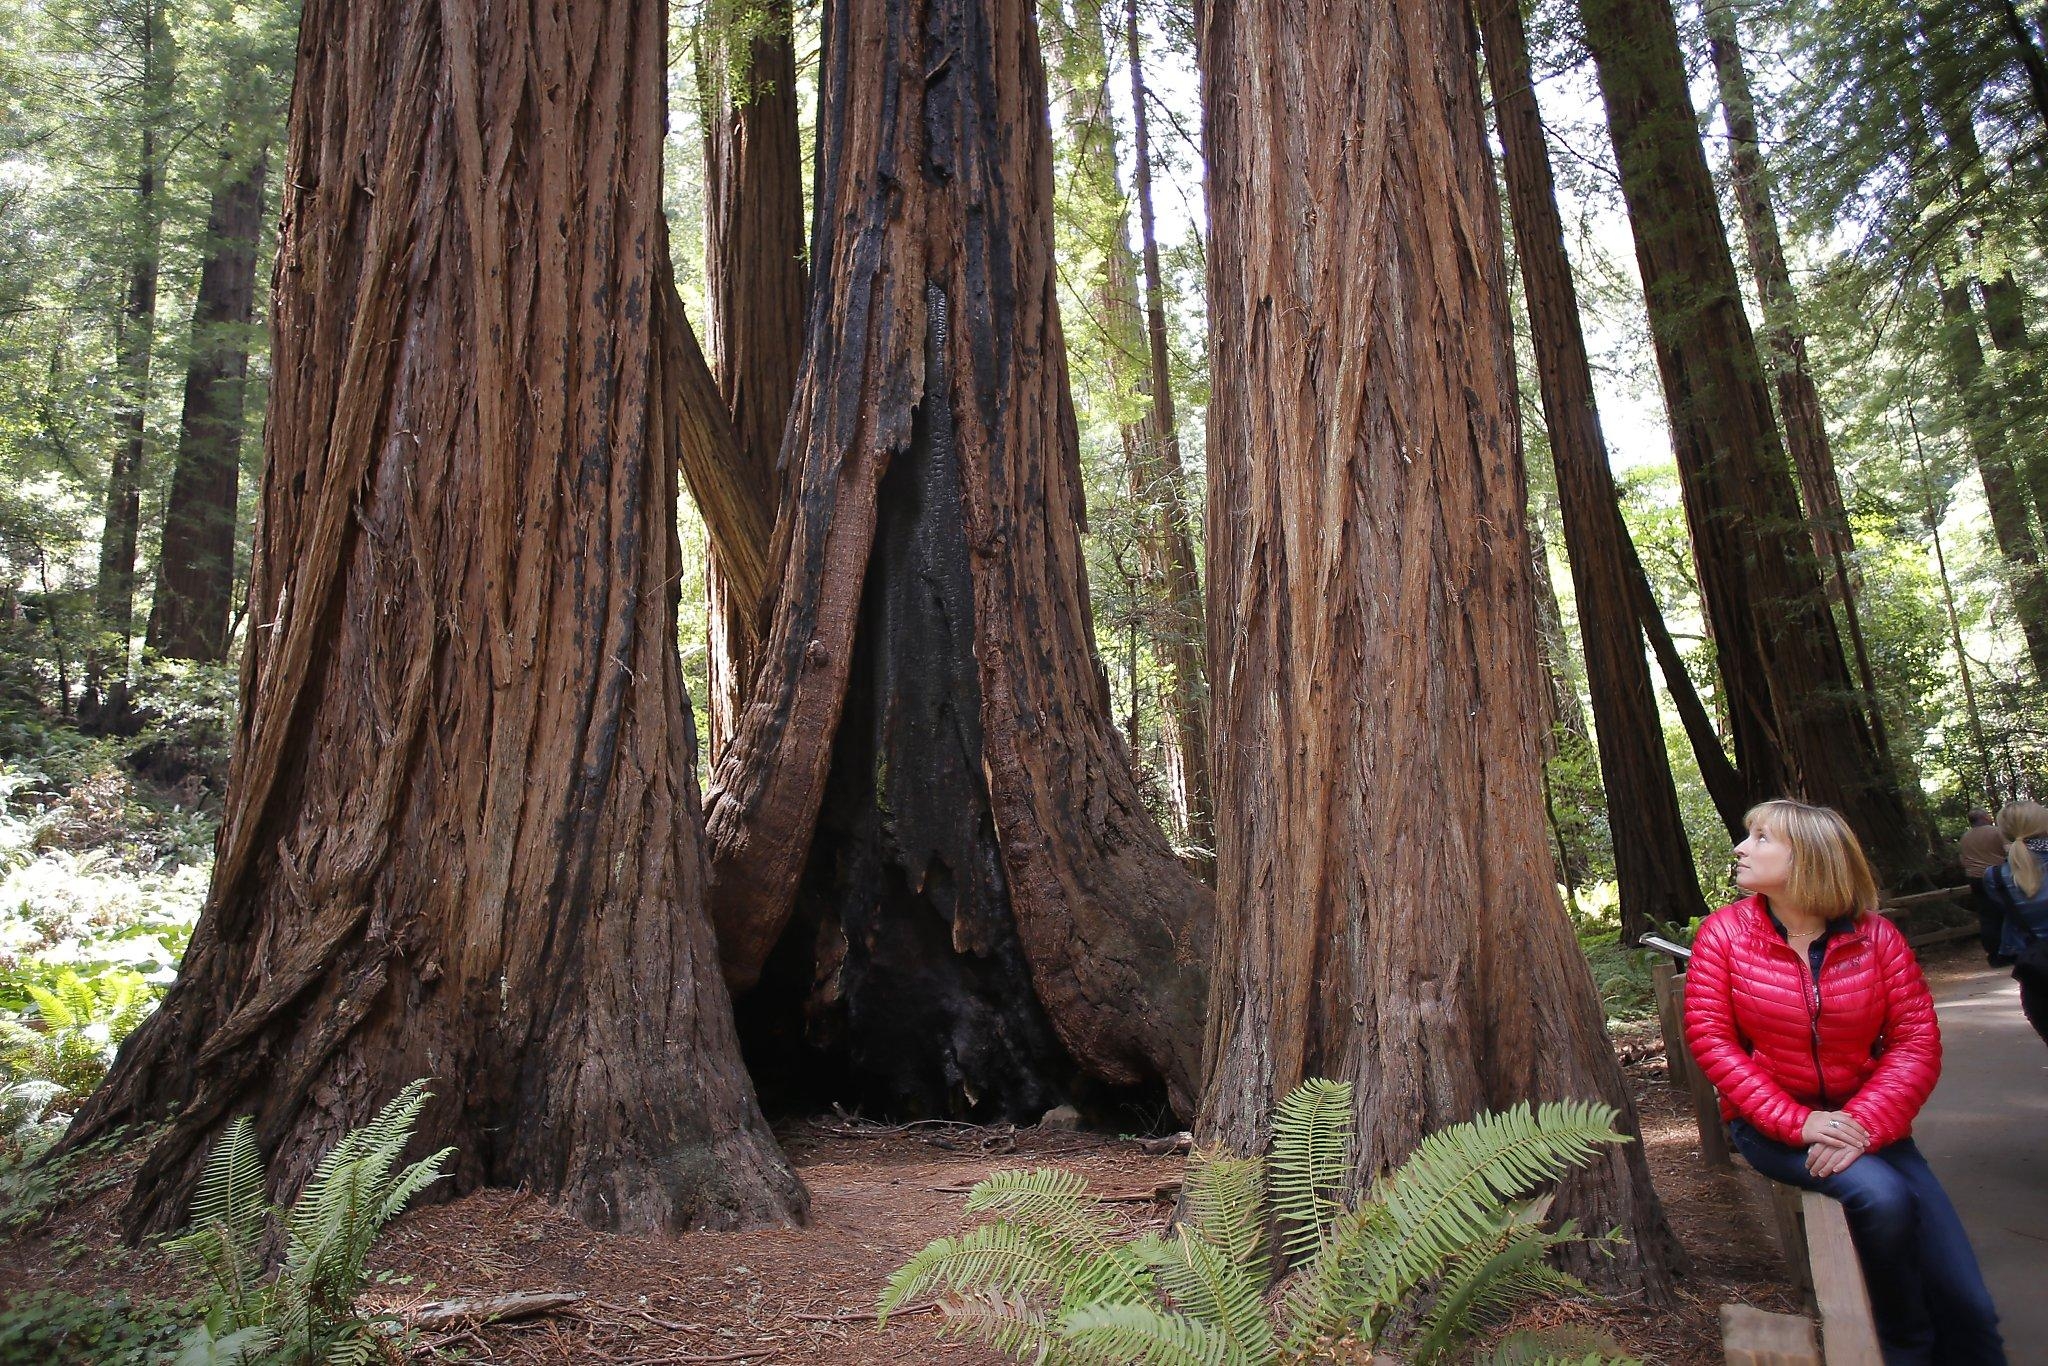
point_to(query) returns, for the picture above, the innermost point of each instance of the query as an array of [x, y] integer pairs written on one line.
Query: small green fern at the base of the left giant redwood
[[302, 1314]]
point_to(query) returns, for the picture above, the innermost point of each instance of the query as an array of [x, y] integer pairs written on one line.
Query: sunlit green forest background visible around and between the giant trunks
[[1906, 161]]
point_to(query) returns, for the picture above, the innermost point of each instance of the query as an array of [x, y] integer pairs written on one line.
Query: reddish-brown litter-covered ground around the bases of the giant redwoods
[[878, 1195]]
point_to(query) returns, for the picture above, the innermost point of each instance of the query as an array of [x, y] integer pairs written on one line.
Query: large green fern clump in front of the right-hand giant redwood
[[1441, 1248]]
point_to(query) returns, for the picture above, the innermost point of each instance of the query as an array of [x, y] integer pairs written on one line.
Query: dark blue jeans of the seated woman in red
[[1926, 1293]]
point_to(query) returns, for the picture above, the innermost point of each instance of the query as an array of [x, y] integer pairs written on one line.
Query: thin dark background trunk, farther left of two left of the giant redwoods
[[114, 597]]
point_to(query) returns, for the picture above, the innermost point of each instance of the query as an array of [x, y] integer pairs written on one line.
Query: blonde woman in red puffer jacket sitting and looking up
[[1809, 1015]]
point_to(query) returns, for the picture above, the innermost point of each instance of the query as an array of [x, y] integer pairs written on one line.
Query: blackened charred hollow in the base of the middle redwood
[[902, 959]]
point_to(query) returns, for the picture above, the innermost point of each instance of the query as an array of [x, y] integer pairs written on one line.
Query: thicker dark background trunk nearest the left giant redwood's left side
[[198, 562]]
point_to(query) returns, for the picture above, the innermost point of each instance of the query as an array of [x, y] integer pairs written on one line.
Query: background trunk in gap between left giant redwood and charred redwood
[[755, 273]]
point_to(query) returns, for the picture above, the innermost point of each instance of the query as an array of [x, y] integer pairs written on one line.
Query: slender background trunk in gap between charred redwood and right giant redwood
[[1172, 544]]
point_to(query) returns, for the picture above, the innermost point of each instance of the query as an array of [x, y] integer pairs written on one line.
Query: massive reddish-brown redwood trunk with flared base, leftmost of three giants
[[462, 837]]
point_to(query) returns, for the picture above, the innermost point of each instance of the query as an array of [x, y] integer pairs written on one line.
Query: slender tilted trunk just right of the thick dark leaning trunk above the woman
[[1799, 400]]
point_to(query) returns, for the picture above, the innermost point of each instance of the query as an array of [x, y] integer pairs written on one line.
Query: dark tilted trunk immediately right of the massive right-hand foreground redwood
[[1652, 853]]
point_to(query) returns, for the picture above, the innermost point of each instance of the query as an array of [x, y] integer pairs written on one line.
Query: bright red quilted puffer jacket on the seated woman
[[1781, 1045]]
